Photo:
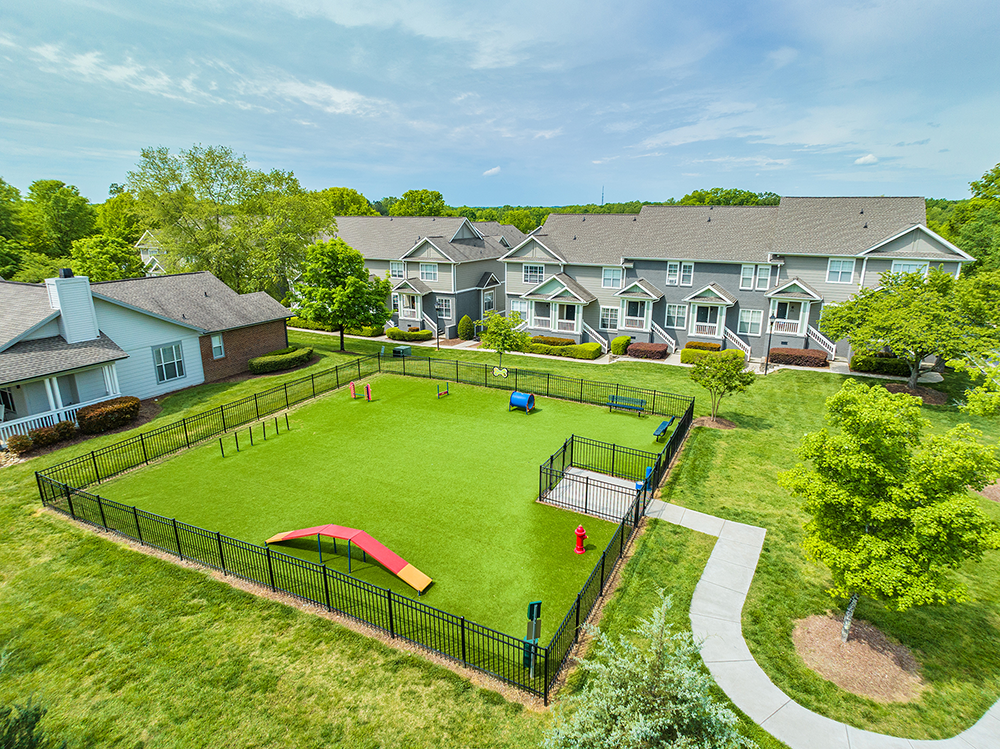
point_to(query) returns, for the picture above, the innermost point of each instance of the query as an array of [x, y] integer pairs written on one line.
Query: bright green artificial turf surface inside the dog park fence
[[447, 483]]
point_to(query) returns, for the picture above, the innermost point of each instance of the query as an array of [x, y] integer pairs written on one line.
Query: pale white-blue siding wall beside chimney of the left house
[[137, 334]]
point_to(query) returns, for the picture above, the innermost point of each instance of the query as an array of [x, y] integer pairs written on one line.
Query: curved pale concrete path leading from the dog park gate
[[716, 610]]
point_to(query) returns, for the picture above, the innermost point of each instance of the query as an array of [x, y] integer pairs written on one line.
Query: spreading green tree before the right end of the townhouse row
[[912, 316]]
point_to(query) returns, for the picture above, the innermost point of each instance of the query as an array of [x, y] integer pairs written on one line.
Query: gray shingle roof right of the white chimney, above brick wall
[[197, 300]]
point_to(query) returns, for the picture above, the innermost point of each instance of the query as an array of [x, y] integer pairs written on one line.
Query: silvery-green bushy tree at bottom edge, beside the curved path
[[650, 691]]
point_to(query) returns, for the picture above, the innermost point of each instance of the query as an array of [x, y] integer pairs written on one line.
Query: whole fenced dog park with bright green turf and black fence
[[447, 484]]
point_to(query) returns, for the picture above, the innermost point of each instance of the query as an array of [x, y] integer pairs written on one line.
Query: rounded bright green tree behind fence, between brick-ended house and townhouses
[[336, 289]]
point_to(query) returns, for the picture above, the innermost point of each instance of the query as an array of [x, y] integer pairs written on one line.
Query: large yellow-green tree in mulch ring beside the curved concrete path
[[890, 515]]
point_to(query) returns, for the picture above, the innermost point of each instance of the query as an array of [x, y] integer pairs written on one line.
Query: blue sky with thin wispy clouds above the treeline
[[526, 103]]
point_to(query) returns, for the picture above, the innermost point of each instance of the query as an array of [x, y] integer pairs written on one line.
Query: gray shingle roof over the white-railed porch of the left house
[[42, 357]]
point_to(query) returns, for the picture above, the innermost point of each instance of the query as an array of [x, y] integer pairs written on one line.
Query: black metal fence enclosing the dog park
[[527, 666]]
